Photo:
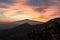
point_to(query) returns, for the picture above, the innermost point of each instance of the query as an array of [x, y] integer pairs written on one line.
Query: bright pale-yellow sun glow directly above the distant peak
[[26, 15]]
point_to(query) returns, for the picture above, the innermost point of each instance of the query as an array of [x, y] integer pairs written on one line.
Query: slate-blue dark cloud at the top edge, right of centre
[[37, 2]]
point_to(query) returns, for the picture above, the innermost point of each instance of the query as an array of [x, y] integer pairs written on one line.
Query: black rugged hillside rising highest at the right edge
[[46, 31]]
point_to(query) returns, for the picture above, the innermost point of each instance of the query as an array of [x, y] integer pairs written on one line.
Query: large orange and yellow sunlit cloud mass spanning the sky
[[30, 12]]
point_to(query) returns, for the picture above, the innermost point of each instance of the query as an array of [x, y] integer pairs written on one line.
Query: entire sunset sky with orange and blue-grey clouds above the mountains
[[39, 10]]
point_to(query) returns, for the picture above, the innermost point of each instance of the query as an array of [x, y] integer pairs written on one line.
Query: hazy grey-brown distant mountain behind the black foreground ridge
[[16, 23]]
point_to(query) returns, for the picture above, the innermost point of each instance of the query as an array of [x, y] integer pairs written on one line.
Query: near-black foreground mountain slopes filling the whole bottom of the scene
[[46, 31]]
